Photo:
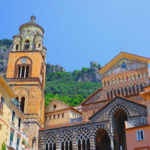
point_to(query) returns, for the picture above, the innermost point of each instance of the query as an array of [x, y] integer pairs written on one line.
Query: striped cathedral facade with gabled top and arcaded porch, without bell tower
[[109, 112]]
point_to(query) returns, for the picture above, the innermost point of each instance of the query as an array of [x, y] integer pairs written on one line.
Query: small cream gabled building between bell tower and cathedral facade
[[58, 113]]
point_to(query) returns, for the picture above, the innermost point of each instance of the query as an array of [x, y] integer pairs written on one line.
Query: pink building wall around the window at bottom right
[[133, 144]]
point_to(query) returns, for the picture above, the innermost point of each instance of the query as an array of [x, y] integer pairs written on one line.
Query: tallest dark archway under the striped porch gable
[[120, 117]]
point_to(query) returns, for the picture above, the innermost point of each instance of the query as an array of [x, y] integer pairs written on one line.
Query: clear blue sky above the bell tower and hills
[[80, 31]]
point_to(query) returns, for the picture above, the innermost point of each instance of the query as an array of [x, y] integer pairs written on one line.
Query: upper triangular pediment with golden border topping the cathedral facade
[[132, 61]]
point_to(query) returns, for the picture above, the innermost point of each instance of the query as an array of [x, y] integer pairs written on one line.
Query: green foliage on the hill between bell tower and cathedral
[[63, 86]]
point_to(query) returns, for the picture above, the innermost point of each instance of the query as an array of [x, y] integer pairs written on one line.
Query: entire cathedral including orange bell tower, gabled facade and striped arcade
[[107, 115]]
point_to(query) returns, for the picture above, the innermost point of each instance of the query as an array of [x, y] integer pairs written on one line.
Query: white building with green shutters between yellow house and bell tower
[[17, 138]]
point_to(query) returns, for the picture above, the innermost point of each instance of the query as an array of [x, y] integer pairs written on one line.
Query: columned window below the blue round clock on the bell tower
[[23, 71]]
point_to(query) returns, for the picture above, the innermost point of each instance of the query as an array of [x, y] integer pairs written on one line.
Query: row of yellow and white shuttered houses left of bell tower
[[11, 119]]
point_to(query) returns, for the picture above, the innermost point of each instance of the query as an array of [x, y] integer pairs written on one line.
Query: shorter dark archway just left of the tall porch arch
[[102, 140]]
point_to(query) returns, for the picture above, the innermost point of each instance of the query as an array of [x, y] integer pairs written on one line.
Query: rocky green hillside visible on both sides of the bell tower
[[69, 87]]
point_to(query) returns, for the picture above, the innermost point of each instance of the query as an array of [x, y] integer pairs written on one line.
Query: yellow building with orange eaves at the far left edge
[[6, 94]]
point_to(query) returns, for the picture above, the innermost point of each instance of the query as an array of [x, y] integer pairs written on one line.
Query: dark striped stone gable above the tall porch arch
[[131, 108]]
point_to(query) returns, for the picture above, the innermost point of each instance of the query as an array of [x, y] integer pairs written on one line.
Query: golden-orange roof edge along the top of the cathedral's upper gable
[[123, 55]]
